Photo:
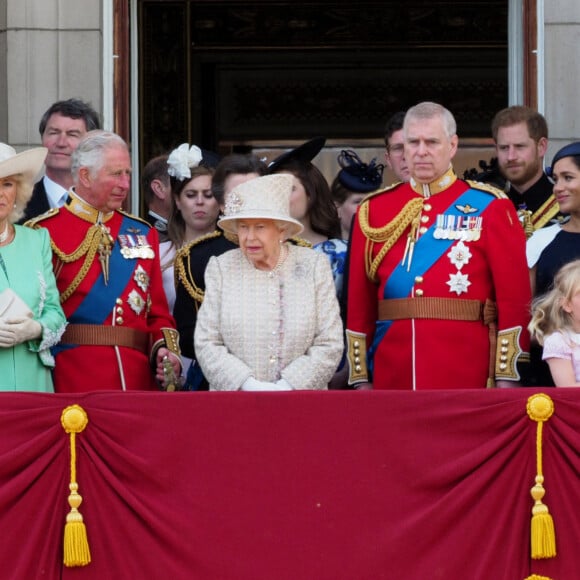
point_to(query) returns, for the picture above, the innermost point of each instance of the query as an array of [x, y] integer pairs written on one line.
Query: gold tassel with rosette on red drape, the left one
[[76, 544]]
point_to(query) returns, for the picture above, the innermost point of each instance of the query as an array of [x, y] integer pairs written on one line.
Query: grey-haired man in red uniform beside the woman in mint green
[[120, 333]]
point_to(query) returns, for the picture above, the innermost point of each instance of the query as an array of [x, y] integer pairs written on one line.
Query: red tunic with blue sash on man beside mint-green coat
[[131, 304]]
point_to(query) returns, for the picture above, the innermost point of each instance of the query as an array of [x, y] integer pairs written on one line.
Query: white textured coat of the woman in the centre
[[269, 325]]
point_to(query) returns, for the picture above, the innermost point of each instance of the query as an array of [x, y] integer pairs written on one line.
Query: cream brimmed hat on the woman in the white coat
[[266, 197]]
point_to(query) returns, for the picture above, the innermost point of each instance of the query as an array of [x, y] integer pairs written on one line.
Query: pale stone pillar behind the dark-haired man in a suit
[[49, 50]]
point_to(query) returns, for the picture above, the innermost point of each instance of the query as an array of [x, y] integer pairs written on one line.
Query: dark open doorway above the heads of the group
[[228, 74]]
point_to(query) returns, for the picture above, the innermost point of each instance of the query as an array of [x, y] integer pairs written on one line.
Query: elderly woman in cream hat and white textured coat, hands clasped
[[270, 318]]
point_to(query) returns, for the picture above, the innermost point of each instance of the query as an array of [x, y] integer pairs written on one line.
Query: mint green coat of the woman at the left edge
[[26, 267]]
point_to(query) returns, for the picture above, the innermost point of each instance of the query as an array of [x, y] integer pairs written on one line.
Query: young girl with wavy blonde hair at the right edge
[[556, 325]]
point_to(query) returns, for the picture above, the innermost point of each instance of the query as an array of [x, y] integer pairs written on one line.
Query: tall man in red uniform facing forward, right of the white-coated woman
[[438, 288]]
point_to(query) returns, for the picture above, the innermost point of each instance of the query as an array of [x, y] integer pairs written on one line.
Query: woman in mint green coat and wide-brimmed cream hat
[[31, 318]]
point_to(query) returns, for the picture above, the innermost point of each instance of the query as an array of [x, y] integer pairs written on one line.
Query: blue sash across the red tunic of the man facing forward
[[427, 252]]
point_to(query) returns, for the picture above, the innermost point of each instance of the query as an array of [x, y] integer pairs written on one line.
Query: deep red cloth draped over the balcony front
[[315, 485]]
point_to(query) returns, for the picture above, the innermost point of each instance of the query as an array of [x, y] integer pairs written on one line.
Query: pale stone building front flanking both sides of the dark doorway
[[56, 49]]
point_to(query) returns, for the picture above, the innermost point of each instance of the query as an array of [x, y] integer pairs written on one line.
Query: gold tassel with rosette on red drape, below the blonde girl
[[540, 408]]
